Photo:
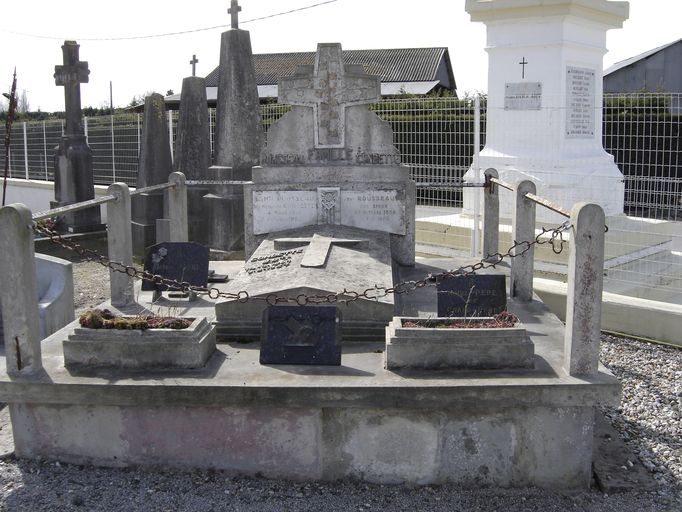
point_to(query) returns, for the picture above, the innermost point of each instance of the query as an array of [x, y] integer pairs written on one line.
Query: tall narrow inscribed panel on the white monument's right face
[[580, 91]]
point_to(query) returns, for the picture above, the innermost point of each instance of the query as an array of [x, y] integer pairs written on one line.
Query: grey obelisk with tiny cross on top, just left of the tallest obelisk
[[193, 151]]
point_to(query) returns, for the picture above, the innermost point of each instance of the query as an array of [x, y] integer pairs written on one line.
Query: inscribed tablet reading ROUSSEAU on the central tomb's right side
[[379, 210]]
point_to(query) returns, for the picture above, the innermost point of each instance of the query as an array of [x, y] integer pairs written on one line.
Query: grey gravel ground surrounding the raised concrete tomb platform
[[649, 419]]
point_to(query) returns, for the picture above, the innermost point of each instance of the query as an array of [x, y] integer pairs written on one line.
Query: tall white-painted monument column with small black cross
[[544, 112]]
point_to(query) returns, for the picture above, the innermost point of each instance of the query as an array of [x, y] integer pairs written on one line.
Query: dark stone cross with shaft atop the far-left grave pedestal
[[70, 75]]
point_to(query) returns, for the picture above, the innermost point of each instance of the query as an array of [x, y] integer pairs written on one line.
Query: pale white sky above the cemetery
[[32, 41]]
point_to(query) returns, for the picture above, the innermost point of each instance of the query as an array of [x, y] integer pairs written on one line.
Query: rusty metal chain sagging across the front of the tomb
[[552, 236]]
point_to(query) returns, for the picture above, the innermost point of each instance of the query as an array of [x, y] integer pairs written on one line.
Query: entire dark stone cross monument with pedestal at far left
[[72, 158]]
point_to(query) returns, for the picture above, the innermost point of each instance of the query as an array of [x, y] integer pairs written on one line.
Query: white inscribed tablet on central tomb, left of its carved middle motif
[[280, 210]]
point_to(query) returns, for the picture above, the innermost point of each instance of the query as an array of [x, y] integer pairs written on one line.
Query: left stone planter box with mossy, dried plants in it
[[136, 349]]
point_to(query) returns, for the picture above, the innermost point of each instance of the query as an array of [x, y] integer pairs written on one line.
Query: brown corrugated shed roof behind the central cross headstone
[[393, 65]]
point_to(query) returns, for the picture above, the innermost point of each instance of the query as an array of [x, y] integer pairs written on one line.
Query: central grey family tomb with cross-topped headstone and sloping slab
[[331, 207]]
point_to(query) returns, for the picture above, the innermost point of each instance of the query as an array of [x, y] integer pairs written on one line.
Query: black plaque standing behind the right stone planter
[[472, 295]]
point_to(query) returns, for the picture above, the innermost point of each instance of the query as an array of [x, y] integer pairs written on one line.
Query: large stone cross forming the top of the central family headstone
[[329, 90]]
